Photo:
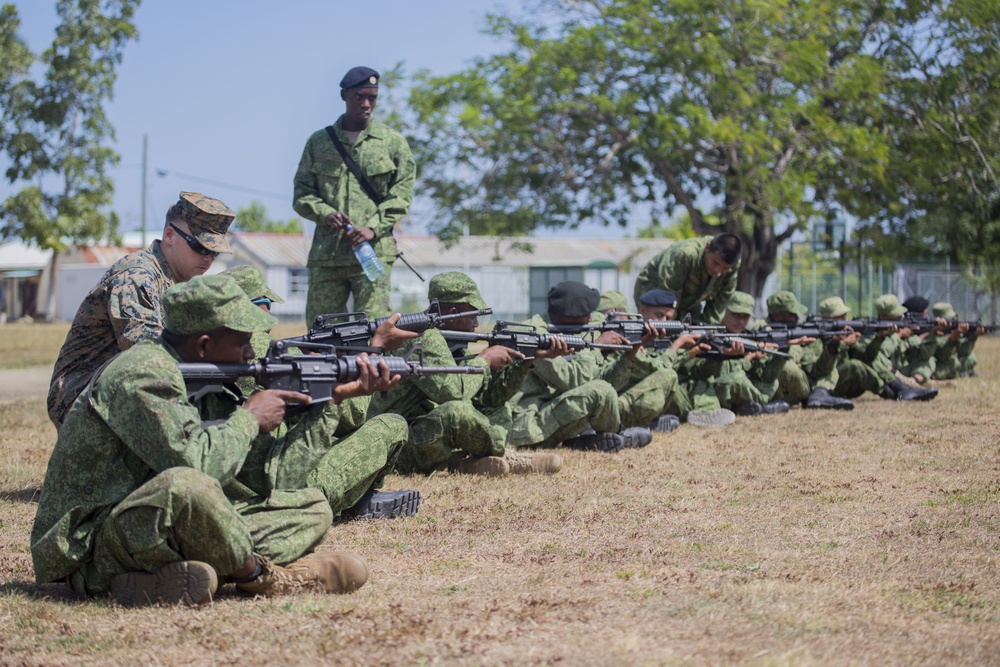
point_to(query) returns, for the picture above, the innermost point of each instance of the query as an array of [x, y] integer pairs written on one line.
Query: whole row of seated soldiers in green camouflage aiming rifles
[[155, 493]]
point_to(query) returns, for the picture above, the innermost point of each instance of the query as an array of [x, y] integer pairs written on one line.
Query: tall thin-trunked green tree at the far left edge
[[56, 132]]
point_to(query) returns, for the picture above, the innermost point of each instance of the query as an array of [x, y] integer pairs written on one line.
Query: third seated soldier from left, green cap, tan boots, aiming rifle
[[460, 421]]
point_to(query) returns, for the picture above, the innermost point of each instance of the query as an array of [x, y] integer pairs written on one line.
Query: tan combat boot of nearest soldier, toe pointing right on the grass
[[339, 572]]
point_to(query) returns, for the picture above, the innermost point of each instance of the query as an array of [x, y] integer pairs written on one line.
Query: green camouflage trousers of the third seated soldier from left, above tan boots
[[449, 432]]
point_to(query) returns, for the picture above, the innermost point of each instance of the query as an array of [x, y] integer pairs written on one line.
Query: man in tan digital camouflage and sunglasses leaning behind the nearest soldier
[[124, 307]]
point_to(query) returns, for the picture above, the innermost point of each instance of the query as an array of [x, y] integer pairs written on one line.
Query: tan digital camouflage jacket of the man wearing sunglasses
[[121, 310]]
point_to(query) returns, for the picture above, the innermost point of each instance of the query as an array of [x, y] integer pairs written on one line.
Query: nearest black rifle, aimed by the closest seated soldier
[[314, 374]]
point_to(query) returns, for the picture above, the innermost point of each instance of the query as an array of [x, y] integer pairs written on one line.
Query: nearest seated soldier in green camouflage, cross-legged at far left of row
[[133, 500]]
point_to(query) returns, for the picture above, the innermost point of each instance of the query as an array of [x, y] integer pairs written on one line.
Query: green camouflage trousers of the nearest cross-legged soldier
[[182, 514]]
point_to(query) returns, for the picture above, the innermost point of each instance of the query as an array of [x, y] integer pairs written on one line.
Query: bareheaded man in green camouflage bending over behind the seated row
[[700, 272]]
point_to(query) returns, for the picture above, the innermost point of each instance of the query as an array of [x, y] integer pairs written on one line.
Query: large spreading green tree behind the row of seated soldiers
[[735, 108]]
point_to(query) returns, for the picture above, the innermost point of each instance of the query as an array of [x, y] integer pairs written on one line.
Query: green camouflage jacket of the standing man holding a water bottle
[[324, 184]]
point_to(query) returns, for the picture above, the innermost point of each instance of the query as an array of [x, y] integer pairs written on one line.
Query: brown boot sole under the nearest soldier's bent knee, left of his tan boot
[[187, 582]]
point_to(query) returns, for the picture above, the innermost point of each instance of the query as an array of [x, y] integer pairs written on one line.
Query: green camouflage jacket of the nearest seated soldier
[[141, 424]]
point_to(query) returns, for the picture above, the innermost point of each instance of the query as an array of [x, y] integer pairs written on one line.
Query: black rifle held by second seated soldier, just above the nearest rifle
[[356, 329]]
